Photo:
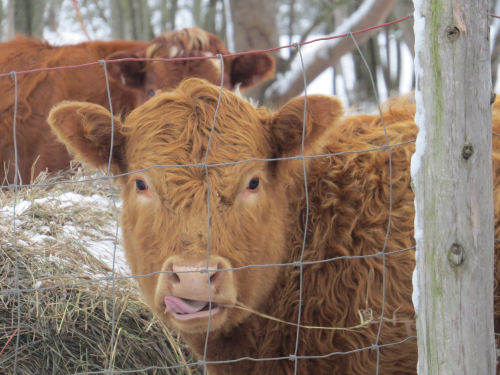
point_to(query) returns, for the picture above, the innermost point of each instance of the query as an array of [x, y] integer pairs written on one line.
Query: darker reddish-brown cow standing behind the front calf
[[131, 83]]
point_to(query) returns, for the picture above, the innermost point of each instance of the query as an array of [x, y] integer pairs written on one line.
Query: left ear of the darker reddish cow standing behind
[[130, 74]]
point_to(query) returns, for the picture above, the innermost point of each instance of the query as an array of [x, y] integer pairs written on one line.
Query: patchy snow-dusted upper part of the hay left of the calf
[[66, 218]]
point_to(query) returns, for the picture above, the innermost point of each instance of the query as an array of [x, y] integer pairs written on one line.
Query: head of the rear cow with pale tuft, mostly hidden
[[146, 77]]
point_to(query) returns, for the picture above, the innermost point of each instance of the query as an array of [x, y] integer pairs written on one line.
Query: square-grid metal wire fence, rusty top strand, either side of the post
[[300, 263]]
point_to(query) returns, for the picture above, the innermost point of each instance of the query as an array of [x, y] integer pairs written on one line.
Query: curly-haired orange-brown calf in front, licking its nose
[[257, 217]]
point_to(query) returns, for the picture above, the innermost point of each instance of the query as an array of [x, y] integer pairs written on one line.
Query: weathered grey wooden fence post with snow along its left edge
[[452, 177]]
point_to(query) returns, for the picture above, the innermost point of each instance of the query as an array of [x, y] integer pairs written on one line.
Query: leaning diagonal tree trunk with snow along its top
[[371, 12]]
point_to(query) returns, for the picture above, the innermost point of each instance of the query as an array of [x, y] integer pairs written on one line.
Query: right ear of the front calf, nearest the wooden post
[[287, 124]]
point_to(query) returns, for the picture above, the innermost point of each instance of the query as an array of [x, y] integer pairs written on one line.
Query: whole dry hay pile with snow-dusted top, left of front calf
[[66, 322]]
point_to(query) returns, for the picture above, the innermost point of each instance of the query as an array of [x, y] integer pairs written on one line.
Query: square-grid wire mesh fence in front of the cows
[[14, 336]]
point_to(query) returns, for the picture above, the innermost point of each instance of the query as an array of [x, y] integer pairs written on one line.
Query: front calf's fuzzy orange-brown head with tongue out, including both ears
[[175, 208]]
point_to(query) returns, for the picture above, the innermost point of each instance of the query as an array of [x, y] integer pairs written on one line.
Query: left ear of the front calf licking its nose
[[86, 129]]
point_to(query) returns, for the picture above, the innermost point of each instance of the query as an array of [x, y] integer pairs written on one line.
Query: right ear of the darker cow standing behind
[[249, 70]]
